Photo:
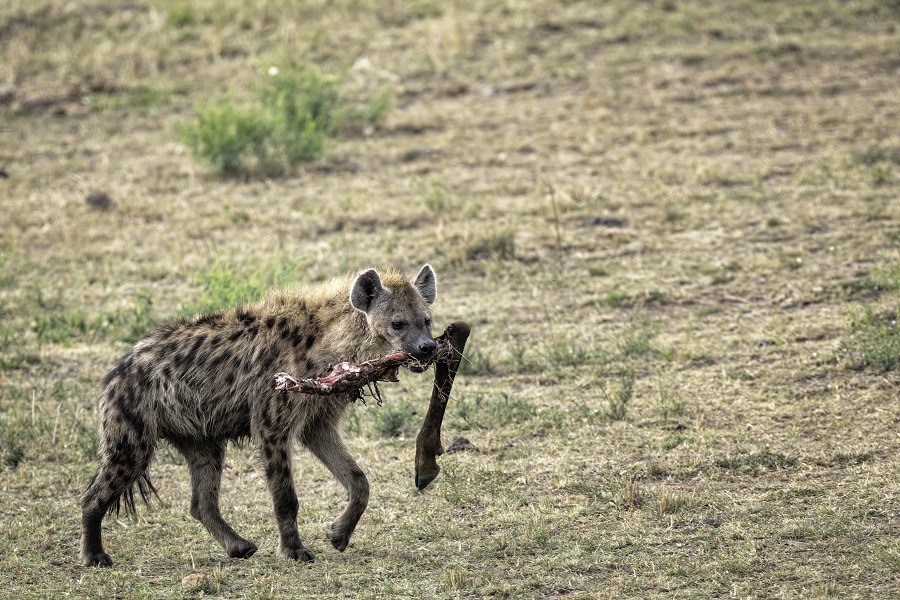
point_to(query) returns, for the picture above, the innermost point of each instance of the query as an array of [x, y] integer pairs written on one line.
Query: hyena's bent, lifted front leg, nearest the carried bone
[[326, 444]]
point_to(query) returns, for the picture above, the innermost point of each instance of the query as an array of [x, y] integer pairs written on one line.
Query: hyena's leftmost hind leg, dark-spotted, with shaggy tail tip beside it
[[123, 466]]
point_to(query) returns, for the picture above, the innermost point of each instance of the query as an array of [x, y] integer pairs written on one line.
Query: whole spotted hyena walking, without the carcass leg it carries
[[200, 382]]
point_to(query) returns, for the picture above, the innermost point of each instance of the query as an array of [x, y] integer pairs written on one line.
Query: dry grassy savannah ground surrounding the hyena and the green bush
[[673, 226]]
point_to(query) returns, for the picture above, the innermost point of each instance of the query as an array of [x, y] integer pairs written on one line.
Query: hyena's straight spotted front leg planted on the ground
[[277, 462]]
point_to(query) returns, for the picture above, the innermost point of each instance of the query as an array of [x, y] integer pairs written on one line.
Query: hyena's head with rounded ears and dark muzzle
[[398, 310]]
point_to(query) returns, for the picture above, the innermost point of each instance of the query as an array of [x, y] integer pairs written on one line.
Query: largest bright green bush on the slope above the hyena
[[297, 110]]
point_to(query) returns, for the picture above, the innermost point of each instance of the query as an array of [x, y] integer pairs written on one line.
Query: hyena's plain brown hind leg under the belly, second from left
[[205, 461]]
